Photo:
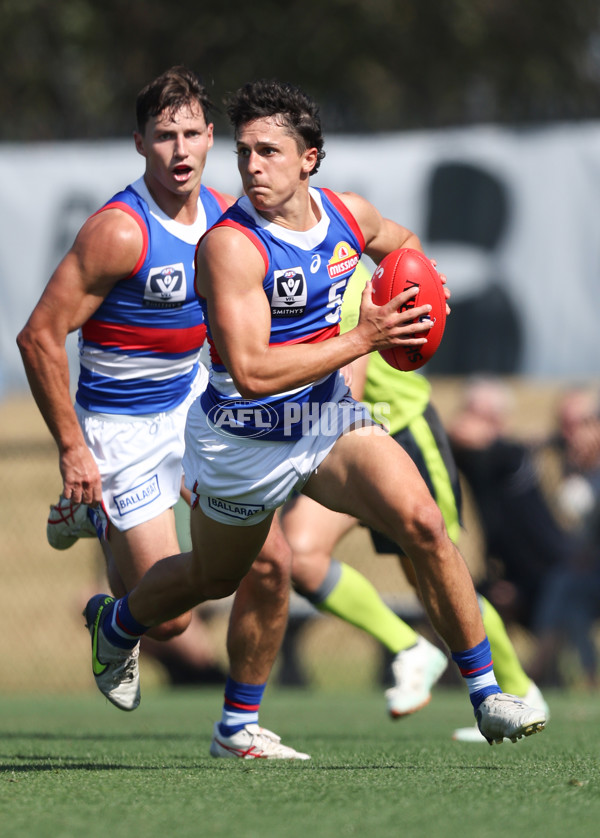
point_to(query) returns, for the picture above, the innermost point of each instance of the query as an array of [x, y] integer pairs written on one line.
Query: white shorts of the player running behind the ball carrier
[[139, 458]]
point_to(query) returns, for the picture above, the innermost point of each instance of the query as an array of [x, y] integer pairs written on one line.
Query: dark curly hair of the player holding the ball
[[298, 113]]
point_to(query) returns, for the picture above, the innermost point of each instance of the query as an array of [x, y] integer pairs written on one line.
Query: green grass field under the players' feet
[[79, 767]]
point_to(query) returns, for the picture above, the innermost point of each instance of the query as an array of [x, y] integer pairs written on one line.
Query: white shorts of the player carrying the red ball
[[240, 480]]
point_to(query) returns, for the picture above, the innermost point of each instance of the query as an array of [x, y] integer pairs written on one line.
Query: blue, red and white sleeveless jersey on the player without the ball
[[139, 351]]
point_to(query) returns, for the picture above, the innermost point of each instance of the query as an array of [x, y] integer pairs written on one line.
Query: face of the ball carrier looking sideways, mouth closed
[[271, 166]]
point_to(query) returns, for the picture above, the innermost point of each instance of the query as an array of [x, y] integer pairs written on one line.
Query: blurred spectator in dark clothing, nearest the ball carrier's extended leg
[[523, 539]]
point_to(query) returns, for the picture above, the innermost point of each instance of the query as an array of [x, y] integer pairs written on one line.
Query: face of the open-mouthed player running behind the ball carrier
[[175, 147]]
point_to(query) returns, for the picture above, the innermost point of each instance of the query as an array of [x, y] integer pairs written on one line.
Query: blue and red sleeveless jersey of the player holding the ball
[[306, 274]]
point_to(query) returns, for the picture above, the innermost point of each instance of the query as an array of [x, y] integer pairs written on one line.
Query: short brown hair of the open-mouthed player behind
[[172, 90]]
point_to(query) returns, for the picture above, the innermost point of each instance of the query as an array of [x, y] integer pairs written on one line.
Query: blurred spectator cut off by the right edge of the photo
[[570, 603]]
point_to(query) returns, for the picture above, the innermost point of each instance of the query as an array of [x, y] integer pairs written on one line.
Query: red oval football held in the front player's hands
[[400, 270]]
